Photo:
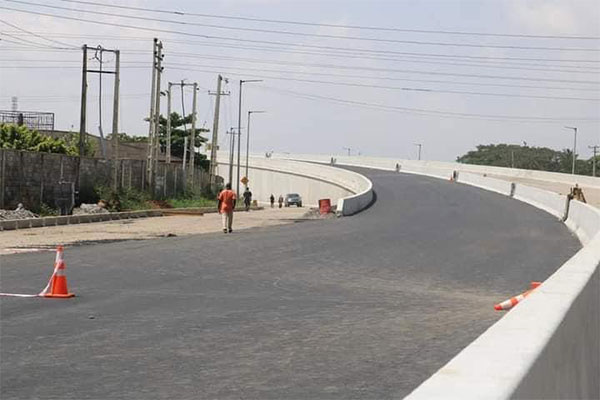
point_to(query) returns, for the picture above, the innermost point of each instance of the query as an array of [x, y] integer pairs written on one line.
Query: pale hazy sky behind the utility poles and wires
[[449, 75]]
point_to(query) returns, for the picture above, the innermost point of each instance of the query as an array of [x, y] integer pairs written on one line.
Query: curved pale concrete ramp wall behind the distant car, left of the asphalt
[[312, 181]]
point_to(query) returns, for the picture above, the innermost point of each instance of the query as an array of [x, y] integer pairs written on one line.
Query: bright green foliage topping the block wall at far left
[[16, 137]]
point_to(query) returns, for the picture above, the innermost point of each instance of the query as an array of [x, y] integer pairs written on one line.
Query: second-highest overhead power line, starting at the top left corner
[[413, 42]]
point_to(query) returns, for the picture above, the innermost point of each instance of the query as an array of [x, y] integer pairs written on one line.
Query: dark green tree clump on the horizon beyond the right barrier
[[526, 157]]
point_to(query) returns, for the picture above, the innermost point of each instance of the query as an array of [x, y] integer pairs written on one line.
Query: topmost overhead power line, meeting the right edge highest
[[373, 28]]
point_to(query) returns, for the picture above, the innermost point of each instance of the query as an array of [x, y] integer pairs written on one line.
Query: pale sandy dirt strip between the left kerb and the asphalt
[[47, 238]]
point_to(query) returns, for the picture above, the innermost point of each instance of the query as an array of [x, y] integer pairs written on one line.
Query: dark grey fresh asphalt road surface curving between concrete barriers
[[362, 307]]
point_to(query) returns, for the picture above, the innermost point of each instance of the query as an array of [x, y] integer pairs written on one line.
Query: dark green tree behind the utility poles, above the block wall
[[178, 136]]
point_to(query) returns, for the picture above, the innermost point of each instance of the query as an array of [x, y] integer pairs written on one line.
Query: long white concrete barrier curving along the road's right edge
[[549, 345]]
